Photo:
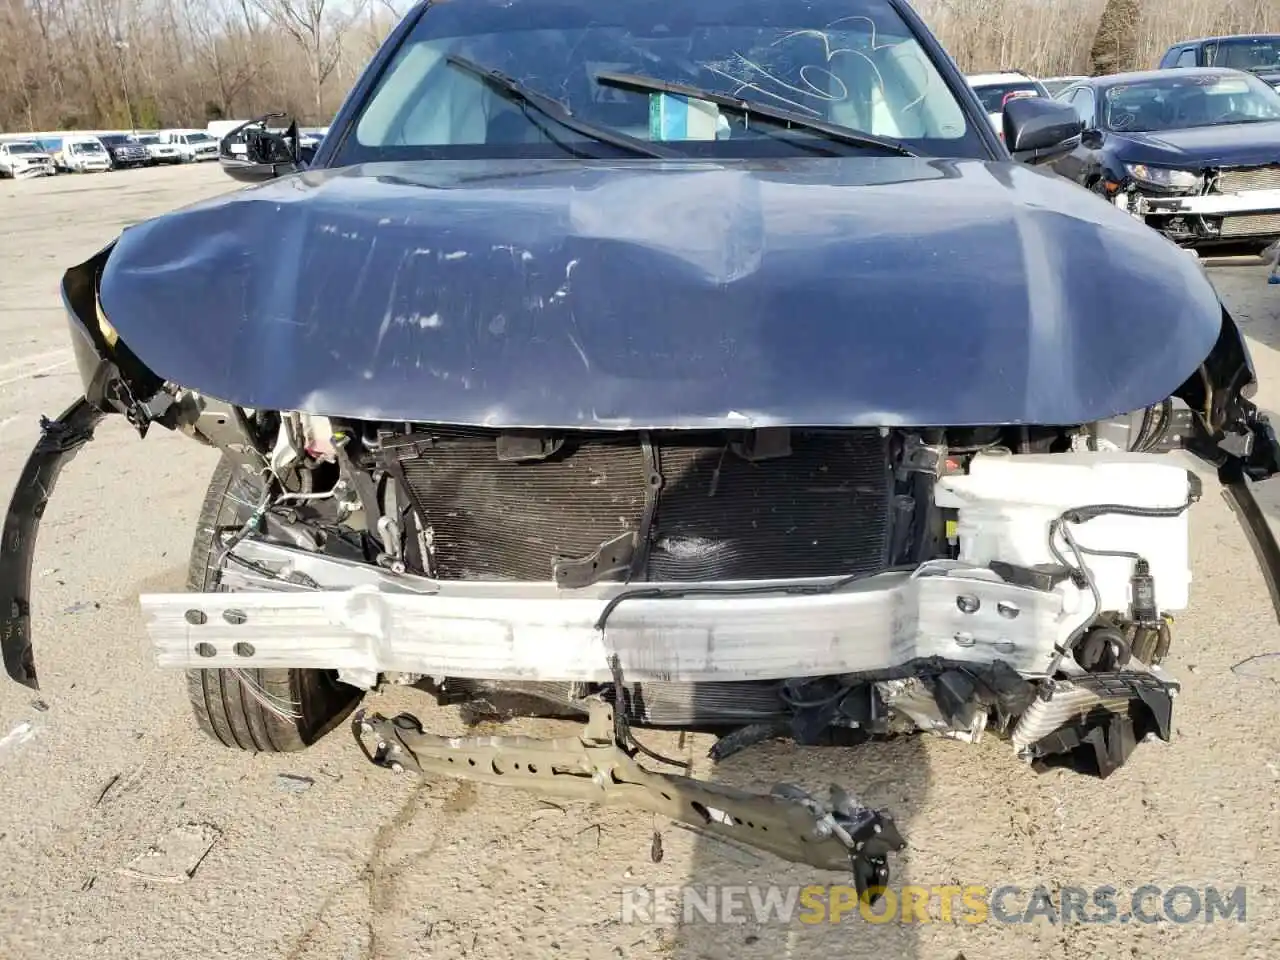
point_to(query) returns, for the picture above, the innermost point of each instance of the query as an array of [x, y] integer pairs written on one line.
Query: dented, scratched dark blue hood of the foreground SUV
[[666, 295]]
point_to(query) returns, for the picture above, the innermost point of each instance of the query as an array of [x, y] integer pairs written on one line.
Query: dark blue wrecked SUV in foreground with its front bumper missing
[[707, 367]]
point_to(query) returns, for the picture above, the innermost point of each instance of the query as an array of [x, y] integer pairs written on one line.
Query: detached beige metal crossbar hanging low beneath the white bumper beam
[[834, 835]]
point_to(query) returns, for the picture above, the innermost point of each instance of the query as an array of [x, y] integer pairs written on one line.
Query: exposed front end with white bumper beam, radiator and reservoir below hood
[[771, 583]]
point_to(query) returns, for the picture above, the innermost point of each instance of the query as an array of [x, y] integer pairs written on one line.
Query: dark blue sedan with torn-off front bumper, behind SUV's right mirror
[[1195, 152]]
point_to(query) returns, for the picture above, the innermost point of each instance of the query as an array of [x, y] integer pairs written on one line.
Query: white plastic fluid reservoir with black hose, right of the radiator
[[1007, 504]]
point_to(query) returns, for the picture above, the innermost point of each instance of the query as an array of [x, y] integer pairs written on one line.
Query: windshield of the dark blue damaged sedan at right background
[[1176, 103]]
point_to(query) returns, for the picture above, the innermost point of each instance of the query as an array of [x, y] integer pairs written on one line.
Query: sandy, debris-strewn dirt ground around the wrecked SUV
[[341, 861]]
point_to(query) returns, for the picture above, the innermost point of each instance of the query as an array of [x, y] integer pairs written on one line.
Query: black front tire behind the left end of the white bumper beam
[[230, 705]]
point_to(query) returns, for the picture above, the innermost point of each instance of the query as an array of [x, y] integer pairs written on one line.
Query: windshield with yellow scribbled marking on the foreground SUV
[[852, 63]]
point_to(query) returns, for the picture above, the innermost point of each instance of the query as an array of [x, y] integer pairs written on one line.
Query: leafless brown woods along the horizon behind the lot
[[188, 60]]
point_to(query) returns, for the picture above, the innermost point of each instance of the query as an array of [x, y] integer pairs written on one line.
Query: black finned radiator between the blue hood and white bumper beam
[[821, 510]]
